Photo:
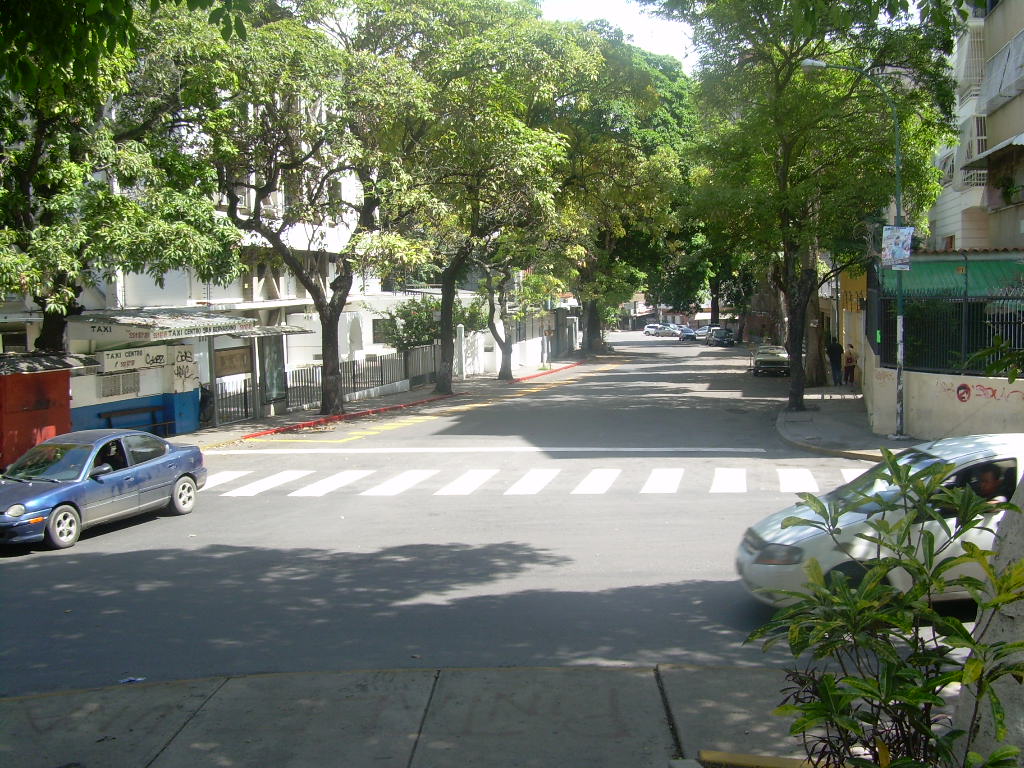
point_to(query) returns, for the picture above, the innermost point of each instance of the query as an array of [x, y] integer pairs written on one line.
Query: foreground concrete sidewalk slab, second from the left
[[307, 720]]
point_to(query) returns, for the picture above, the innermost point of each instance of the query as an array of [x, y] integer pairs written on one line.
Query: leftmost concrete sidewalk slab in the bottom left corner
[[124, 727]]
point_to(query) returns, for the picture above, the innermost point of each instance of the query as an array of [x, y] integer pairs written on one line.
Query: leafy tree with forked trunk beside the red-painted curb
[[303, 136]]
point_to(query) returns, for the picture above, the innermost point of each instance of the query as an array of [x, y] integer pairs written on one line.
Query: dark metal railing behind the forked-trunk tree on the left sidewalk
[[418, 365]]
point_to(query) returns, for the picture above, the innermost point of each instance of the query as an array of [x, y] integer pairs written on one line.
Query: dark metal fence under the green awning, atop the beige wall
[[944, 332]]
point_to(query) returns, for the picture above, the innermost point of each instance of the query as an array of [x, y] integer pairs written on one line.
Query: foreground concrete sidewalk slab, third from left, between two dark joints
[[516, 718]]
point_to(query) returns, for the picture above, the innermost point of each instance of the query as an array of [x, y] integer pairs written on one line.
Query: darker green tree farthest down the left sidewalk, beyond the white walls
[[623, 174]]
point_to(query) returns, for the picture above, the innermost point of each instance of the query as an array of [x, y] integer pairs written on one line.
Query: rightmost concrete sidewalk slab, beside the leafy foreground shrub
[[729, 709]]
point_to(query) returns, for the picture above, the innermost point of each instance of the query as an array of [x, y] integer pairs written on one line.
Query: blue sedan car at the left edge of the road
[[80, 480]]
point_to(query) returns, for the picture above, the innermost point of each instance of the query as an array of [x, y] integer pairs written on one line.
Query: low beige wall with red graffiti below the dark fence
[[942, 406]]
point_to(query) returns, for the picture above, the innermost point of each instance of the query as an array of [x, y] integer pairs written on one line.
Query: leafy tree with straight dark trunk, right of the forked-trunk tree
[[490, 172]]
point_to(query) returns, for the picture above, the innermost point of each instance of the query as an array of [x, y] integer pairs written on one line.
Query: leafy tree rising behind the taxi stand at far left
[[96, 183]]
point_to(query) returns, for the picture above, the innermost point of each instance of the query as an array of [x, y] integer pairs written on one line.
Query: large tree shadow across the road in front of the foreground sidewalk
[[165, 615]]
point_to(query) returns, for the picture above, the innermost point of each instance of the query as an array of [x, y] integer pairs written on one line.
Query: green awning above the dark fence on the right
[[948, 278]]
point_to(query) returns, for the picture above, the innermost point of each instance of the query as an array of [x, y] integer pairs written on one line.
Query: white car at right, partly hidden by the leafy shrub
[[772, 558]]
